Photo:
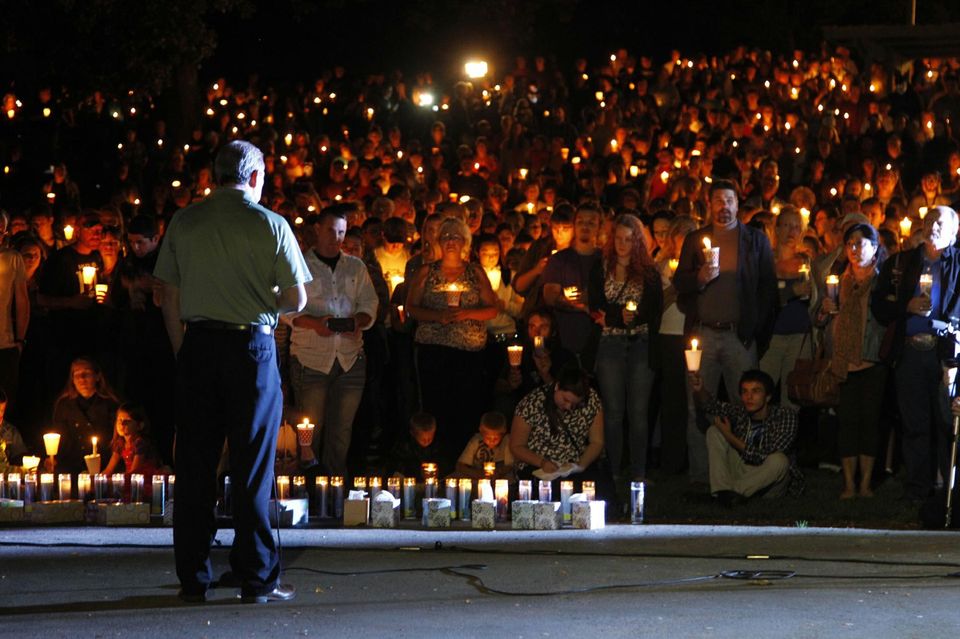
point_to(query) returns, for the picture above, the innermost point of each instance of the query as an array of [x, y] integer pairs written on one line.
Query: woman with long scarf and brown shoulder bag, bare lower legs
[[854, 337]]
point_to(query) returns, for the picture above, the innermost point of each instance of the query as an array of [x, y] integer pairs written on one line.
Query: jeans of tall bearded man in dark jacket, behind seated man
[[723, 354]]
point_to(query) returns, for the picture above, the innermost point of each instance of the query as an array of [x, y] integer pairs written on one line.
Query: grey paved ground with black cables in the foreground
[[120, 582]]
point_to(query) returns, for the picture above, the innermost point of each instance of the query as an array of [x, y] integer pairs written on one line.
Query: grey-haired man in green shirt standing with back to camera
[[229, 267]]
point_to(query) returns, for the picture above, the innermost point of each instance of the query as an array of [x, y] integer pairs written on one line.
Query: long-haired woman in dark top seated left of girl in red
[[86, 408]]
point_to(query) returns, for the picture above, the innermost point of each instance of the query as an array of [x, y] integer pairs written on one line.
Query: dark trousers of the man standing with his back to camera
[[228, 386]]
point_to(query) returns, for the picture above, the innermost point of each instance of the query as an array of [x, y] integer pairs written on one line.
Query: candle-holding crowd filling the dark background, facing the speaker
[[597, 217]]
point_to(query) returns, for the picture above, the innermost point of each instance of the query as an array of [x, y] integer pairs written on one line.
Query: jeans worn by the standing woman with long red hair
[[625, 382]]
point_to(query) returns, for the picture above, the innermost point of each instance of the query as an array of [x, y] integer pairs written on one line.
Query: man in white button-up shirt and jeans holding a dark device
[[327, 365]]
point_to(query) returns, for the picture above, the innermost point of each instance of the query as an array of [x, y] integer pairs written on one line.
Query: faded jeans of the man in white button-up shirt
[[332, 399]]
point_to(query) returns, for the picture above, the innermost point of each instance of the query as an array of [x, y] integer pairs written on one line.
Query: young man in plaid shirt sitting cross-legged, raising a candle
[[750, 445]]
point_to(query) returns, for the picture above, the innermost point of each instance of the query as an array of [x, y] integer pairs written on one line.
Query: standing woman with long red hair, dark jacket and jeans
[[631, 307]]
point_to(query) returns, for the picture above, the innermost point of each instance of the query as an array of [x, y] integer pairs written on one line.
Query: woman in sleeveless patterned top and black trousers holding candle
[[451, 299]]
